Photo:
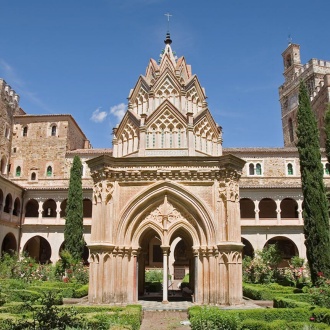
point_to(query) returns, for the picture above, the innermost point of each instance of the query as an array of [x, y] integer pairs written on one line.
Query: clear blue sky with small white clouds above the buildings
[[83, 57]]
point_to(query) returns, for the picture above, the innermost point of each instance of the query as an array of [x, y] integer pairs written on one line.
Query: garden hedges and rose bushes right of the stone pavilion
[[296, 303]]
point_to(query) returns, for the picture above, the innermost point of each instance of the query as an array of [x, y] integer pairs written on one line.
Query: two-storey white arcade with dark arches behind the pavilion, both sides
[[261, 220]]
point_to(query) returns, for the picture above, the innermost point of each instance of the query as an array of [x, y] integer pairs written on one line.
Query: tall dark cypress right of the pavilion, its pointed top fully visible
[[315, 207]]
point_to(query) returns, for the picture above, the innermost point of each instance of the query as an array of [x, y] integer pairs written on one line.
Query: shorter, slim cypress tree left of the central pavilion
[[73, 231]]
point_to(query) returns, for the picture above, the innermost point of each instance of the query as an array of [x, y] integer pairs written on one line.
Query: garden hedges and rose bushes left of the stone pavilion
[[35, 296]]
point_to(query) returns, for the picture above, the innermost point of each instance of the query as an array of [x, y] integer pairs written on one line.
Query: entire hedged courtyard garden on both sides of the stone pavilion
[[35, 296]]
